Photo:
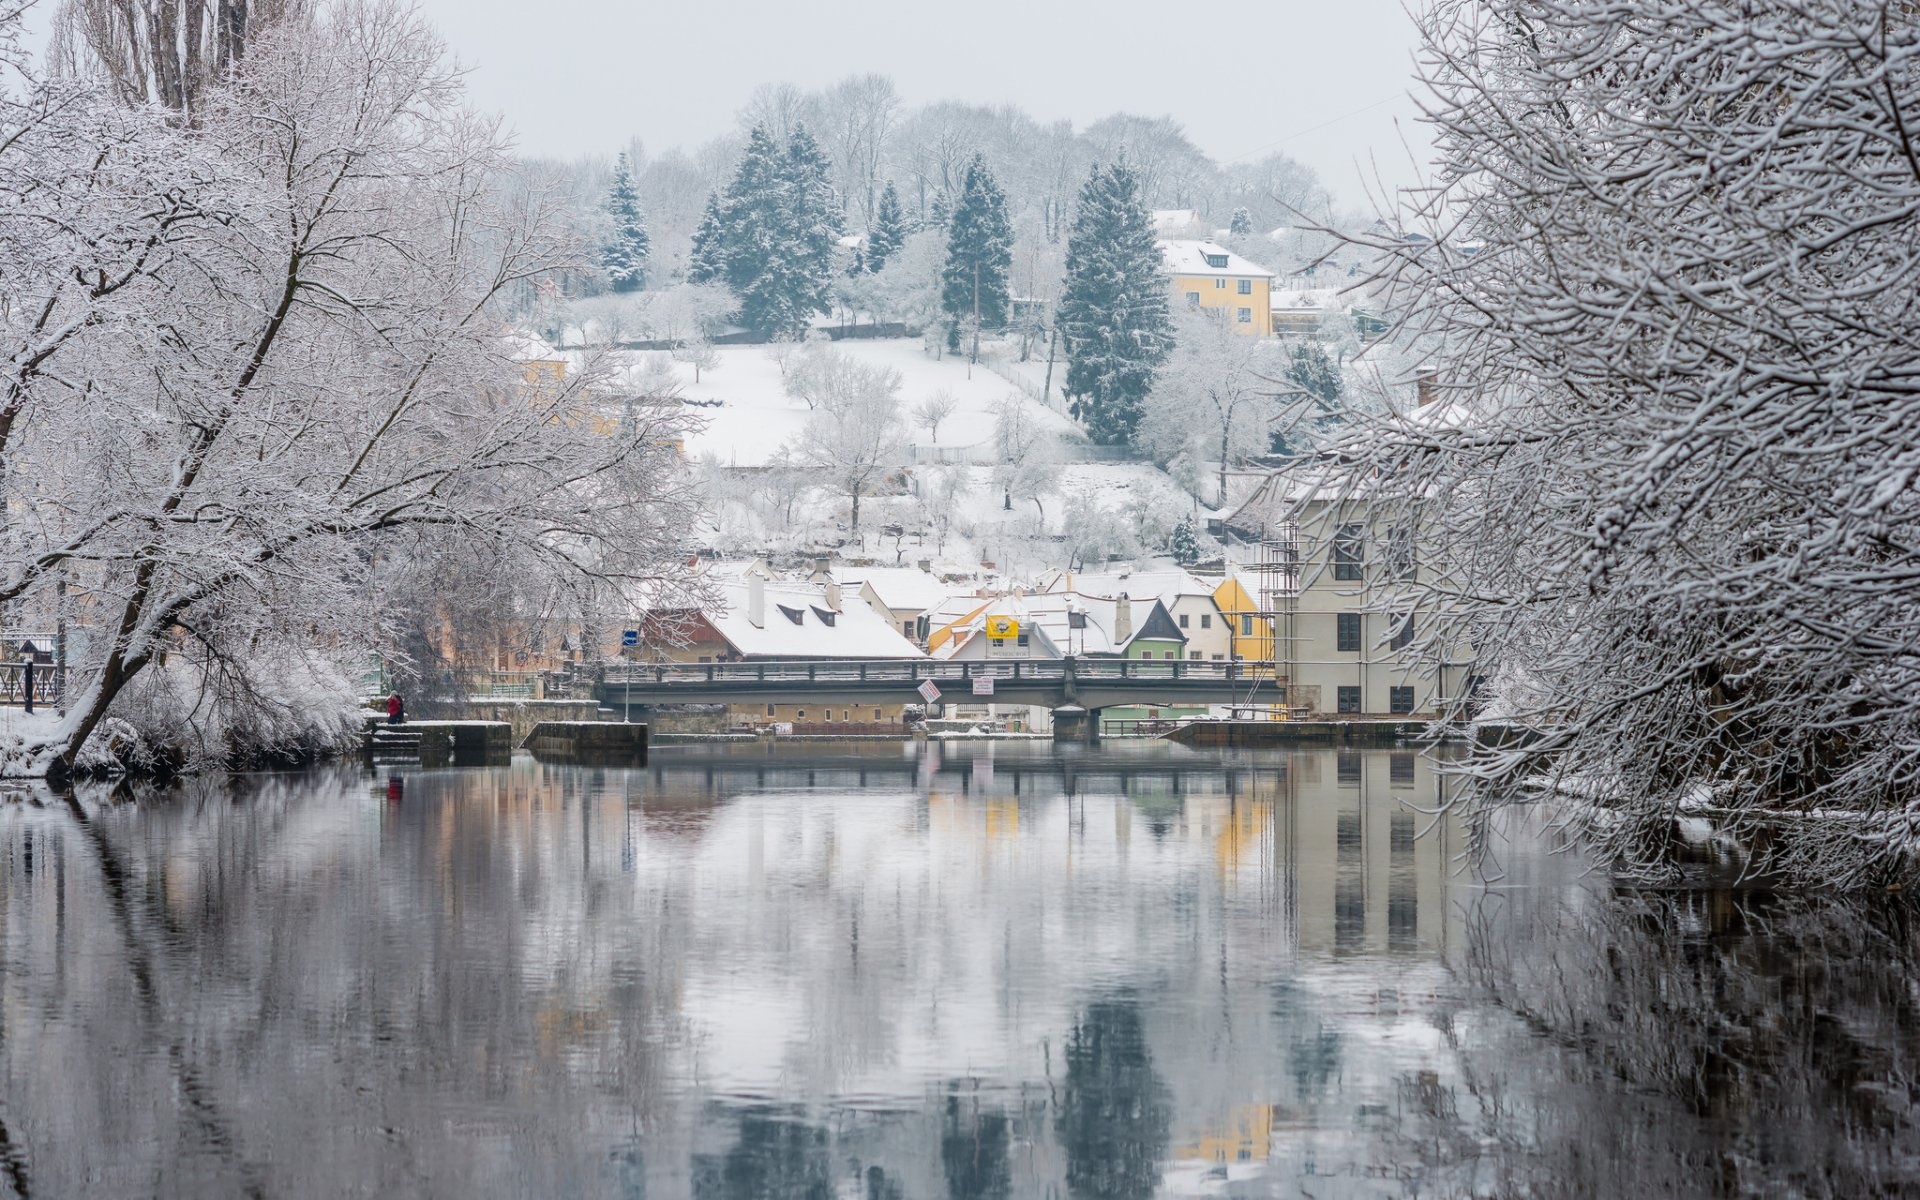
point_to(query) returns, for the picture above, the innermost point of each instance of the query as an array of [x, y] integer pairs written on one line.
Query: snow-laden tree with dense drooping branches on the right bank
[[1666, 481]]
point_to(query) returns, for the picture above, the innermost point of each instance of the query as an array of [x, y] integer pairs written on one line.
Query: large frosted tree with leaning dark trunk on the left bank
[[258, 375]]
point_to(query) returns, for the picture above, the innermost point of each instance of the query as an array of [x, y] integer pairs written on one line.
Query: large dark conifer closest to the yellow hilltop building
[[1115, 306]]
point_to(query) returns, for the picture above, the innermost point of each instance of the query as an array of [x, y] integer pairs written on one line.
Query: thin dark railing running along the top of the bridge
[[913, 671]]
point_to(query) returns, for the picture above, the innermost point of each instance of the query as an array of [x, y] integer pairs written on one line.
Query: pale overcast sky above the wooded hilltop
[[1322, 82]]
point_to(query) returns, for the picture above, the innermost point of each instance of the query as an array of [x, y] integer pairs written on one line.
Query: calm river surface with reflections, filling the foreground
[[871, 972]]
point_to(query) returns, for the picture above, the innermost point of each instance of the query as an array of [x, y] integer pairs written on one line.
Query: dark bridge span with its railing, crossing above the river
[[1047, 683]]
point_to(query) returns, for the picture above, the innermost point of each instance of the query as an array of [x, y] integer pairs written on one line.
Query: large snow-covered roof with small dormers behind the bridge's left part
[[800, 623]]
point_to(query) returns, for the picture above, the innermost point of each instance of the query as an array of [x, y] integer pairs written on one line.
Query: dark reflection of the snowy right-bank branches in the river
[[1685, 1044]]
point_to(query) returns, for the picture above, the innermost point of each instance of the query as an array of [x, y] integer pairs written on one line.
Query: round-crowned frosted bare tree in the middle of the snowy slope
[[855, 433]]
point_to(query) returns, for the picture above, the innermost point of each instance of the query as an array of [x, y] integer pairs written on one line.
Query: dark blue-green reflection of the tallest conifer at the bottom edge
[[1115, 1111]]
